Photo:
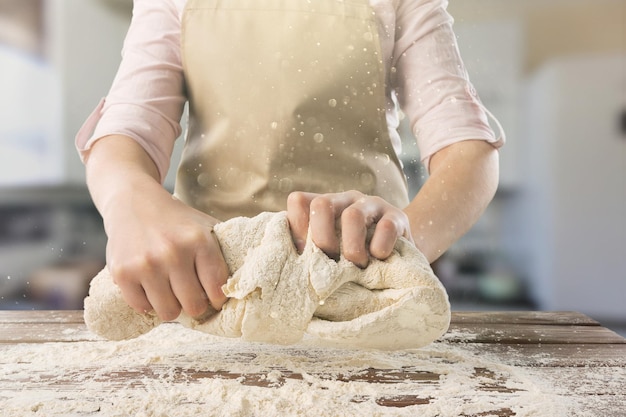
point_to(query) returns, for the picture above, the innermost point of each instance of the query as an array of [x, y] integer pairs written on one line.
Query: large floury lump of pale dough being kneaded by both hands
[[277, 295]]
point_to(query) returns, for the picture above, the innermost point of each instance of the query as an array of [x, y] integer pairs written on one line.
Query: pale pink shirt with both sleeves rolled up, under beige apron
[[426, 79]]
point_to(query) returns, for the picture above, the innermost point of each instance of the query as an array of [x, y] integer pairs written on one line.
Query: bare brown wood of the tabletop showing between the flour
[[541, 343]]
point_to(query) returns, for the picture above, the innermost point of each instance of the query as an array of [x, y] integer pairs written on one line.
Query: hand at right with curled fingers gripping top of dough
[[353, 213]]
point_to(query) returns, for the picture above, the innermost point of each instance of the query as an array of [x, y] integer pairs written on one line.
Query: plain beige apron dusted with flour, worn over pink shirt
[[284, 95]]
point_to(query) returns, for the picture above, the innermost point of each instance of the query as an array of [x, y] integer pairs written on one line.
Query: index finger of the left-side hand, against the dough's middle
[[212, 271]]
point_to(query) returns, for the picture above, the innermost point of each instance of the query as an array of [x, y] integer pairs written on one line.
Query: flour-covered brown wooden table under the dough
[[499, 360]]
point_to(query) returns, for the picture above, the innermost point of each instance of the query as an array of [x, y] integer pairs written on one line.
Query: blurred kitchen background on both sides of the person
[[552, 71]]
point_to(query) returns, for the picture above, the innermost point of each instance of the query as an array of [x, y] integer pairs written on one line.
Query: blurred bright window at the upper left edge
[[31, 151]]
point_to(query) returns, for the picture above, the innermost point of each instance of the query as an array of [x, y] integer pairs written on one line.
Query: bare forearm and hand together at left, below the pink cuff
[[160, 252]]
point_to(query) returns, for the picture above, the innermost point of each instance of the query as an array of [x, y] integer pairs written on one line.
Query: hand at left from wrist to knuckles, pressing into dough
[[164, 257]]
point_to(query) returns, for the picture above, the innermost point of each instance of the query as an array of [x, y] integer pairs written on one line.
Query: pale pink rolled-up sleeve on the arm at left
[[147, 99]]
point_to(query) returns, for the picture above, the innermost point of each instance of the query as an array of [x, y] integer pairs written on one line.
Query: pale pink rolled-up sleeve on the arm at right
[[431, 82]]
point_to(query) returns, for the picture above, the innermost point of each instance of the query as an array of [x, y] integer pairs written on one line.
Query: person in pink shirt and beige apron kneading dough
[[293, 105]]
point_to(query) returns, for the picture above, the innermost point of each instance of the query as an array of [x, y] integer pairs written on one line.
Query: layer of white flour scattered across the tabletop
[[172, 372]]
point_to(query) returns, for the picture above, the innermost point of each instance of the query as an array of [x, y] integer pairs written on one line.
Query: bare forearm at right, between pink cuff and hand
[[462, 182]]
